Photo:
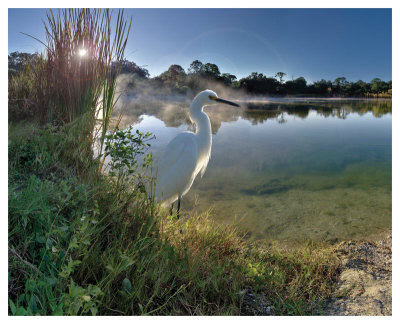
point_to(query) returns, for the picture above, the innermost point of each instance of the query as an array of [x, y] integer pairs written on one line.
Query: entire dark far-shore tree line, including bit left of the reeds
[[178, 81]]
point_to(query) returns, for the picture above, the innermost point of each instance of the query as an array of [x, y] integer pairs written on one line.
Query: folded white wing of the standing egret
[[176, 167]]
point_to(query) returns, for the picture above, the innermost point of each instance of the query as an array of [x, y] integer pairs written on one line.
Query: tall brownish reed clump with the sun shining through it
[[76, 76]]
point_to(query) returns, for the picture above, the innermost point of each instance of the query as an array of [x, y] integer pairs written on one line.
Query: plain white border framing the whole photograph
[[214, 4]]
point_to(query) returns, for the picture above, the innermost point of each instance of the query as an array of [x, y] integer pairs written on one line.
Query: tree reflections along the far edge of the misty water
[[175, 113]]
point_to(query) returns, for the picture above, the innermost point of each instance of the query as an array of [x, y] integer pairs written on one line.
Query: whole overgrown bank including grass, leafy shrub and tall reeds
[[83, 242]]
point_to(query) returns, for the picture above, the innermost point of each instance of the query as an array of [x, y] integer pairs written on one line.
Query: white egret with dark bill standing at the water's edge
[[188, 153]]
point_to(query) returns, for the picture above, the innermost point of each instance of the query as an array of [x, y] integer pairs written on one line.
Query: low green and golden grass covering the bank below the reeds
[[79, 246]]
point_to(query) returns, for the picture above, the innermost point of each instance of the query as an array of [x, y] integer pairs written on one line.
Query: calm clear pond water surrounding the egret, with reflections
[[288, 170]]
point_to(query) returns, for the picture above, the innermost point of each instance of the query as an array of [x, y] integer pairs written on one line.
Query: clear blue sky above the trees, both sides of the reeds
[[313, 43]]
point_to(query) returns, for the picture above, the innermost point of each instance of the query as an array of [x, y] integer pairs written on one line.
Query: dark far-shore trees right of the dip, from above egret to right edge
[[260, 84]]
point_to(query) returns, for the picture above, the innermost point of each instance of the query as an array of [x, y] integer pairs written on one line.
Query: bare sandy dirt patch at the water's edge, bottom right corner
[[365, 281]]
